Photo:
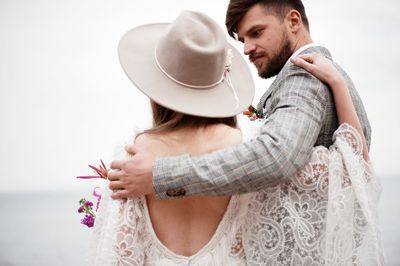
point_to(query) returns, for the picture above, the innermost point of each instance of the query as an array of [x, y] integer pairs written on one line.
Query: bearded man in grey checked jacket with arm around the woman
[[298, 113]]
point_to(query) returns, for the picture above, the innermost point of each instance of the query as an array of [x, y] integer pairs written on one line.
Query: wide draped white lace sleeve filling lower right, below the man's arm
[[327, 214]]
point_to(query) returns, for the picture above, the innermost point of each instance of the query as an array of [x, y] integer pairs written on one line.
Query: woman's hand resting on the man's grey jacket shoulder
[[321, 67]]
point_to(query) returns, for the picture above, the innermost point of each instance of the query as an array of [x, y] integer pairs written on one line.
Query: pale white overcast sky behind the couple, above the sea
[[65, 101]]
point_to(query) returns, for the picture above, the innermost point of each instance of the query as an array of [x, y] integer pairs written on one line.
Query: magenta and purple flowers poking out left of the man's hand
[[86, 206]]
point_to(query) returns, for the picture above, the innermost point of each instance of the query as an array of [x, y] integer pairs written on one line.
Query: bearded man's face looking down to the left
[[266, 40]]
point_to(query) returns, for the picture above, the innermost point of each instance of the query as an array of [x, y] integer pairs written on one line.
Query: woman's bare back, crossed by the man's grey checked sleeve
[[185, 225]]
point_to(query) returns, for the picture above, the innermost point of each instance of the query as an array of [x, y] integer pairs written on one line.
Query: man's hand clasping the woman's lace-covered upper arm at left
[[133, 177]]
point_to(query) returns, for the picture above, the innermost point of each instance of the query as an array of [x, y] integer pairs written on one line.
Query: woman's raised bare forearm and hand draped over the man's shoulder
[[323, 69]]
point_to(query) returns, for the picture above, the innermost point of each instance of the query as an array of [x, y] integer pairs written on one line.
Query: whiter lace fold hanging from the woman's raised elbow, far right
[[352, 226]]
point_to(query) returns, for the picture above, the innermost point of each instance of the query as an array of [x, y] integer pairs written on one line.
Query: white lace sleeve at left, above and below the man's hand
[[118, 225]]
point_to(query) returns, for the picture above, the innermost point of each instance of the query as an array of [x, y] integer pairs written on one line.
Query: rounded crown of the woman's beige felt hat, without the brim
[[193, 50]]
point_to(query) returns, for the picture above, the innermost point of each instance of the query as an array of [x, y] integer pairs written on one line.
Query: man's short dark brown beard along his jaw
[[277, 62]]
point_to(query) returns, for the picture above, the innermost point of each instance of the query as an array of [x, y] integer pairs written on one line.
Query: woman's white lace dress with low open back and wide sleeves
[[325, 215]]
